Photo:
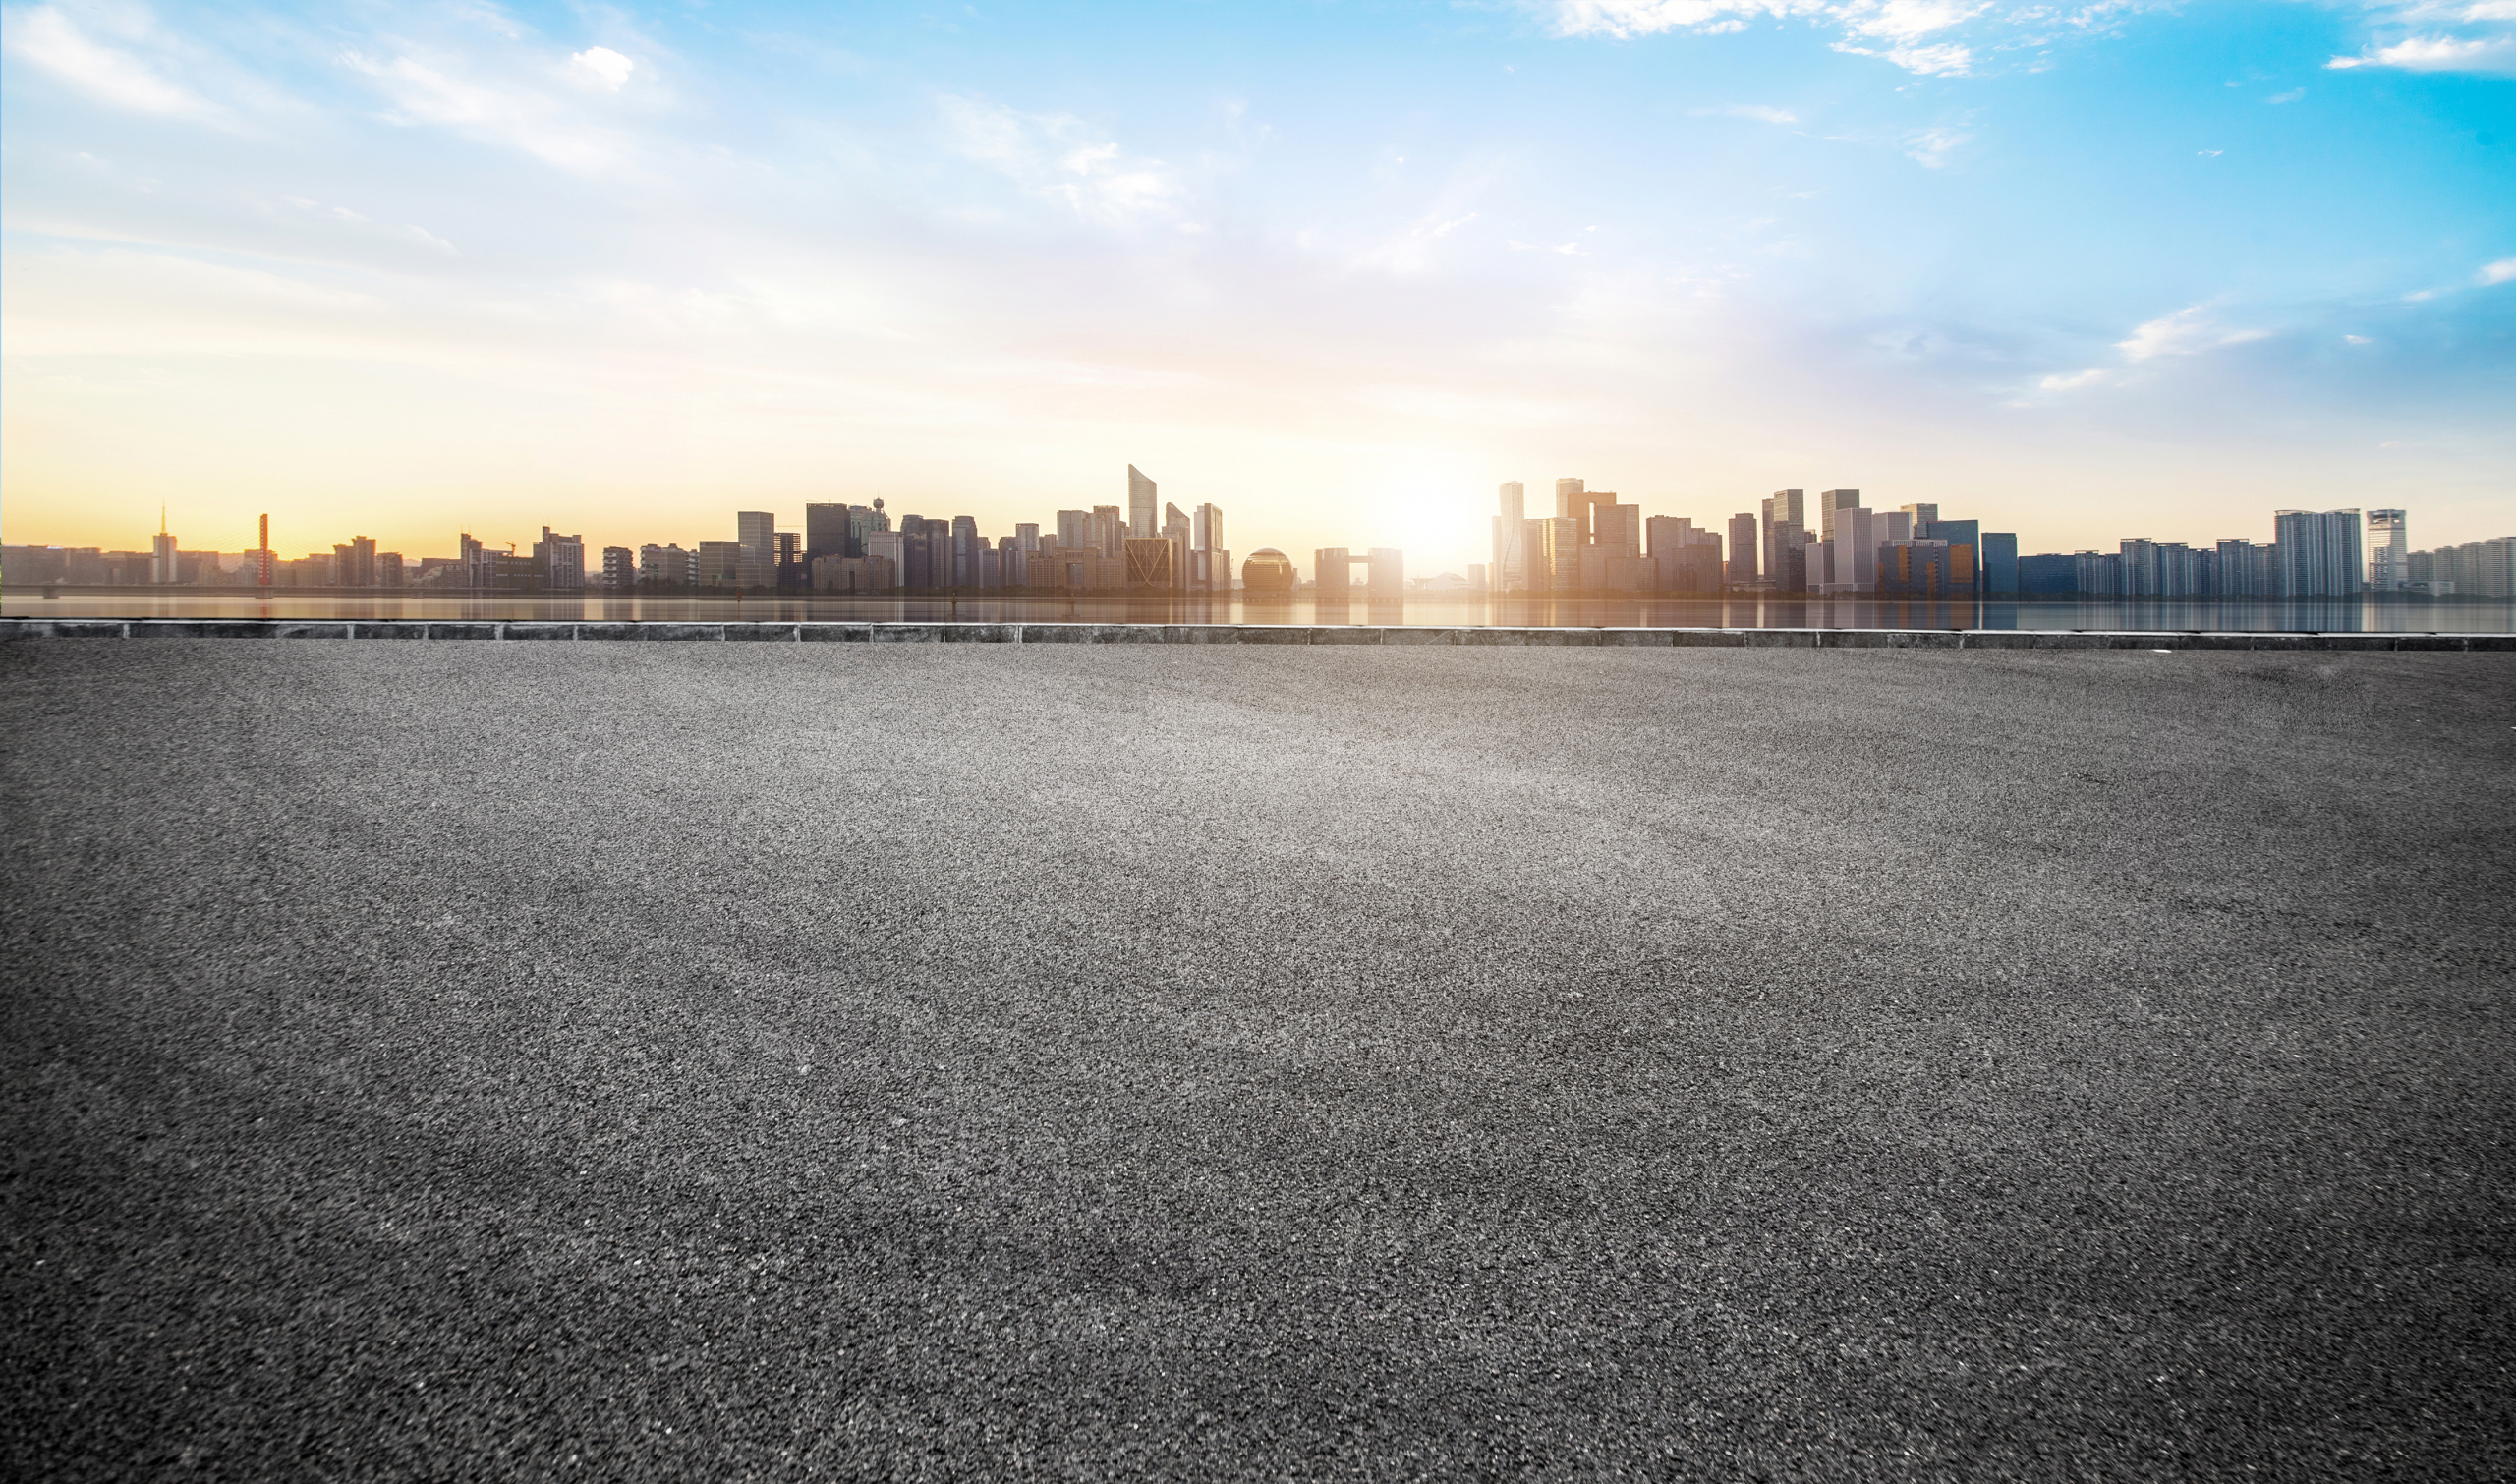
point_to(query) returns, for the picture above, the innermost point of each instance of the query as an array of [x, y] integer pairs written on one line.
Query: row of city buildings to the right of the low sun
[[1596, 545]]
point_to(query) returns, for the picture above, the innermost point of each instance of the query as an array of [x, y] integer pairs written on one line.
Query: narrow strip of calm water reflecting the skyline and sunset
[[1544, 612]]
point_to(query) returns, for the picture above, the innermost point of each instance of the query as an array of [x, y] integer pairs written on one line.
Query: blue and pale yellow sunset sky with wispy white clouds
[[2085, 273]]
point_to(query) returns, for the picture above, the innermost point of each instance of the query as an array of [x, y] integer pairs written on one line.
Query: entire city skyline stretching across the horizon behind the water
[[1591, 545]]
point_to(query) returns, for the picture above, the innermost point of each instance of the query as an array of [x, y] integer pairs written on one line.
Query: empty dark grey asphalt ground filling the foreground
[[1247, 1063]]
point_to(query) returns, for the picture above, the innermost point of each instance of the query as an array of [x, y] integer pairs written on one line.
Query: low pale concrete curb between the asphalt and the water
[[862, 633]]
